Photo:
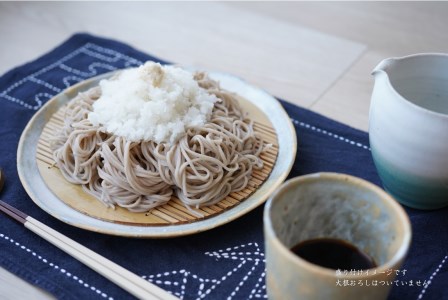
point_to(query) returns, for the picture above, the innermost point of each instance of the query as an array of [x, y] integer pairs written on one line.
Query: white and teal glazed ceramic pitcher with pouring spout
[[408, 128]]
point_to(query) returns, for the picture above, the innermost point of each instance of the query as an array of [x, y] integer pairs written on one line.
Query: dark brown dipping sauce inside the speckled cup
[[334, 254]]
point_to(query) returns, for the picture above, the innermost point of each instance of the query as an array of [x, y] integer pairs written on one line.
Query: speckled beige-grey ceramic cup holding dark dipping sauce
[[330, 205]]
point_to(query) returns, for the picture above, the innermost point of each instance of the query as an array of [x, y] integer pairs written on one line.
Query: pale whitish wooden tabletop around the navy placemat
[[316, 55]]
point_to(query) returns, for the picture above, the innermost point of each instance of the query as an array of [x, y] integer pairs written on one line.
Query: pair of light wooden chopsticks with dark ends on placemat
[[127, 280]]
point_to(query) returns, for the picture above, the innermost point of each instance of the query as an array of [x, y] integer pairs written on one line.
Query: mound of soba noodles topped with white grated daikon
[[205, 148]]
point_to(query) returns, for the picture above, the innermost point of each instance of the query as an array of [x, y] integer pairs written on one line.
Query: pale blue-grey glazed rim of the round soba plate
[[36, 123]]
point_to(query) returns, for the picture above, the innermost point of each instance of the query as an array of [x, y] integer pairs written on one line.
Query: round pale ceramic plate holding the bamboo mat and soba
[[47, 197]]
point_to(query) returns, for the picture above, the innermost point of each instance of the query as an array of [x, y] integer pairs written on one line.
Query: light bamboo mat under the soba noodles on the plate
[[172, 213]]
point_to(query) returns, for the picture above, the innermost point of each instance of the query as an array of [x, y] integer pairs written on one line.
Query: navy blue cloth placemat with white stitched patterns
[[224, 263]]
